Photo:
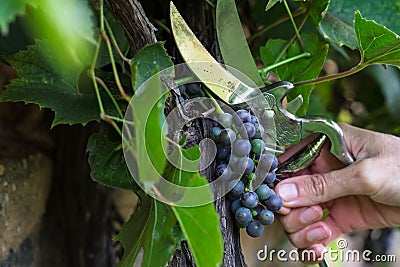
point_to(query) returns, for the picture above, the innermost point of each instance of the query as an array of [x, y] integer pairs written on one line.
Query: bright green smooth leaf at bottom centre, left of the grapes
[[200, 226]]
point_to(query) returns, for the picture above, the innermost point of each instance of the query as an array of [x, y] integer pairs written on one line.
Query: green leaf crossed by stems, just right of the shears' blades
[[298, 70]]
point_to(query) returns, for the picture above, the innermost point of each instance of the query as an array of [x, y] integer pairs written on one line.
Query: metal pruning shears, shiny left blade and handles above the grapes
[[236, 93]]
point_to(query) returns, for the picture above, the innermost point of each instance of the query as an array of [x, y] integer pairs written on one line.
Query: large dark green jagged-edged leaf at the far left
[[55, 88]]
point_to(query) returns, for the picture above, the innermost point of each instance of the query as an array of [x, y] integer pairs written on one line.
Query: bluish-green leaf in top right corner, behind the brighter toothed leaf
[[337, 25]]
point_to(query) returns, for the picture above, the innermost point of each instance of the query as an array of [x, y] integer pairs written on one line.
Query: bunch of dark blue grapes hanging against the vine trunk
[[240, 143]]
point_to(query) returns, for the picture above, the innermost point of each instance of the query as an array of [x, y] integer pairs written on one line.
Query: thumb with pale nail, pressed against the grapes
[[307, 190]]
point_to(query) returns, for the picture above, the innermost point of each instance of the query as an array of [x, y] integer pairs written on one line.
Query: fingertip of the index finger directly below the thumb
[[299, 218]]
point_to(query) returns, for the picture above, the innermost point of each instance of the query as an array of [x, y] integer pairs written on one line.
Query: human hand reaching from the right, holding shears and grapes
[[360, 196]]
